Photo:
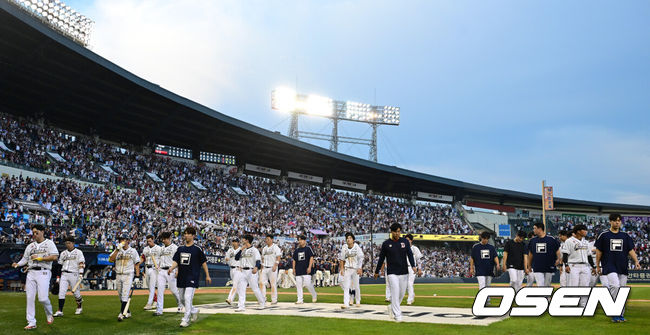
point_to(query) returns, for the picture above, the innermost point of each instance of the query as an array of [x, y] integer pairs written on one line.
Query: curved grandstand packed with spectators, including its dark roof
[[93, 151]]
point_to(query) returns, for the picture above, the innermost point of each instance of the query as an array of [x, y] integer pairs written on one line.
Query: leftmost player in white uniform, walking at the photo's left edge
[[38, 256]]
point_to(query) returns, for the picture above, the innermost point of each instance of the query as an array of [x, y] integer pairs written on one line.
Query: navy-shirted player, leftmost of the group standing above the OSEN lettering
[[482, 262]]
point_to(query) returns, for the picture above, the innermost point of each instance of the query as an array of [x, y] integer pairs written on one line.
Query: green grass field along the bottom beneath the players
[[100, 313]]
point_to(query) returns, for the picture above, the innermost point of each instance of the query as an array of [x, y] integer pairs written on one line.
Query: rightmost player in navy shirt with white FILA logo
[[612, 250]]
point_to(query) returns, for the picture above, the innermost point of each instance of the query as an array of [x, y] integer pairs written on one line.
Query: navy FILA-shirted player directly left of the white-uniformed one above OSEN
[[543, 255]]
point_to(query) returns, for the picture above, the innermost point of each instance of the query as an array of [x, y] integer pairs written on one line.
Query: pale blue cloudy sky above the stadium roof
[[498, 93]]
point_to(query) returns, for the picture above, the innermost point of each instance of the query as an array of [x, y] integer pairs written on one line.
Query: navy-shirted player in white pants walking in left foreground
[[189, 259]]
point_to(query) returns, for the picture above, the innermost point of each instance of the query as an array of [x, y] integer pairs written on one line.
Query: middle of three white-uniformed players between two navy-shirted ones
[[249, 265]]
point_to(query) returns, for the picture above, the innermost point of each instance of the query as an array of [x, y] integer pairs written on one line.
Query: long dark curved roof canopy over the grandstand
[[45, 73]]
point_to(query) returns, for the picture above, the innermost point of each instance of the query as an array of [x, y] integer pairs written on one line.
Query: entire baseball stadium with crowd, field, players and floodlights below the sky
[[128, 209]]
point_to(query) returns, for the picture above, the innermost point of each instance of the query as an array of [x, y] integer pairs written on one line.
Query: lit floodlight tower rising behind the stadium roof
[[287, 100]]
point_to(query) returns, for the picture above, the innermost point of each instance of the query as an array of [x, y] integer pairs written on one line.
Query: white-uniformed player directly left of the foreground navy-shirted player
[[167, 252]]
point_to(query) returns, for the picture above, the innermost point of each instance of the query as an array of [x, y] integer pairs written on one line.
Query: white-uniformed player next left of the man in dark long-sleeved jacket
[[351, 263]]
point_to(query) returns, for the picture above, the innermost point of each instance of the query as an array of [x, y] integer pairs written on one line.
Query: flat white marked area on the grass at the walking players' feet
[[457, 316]]
